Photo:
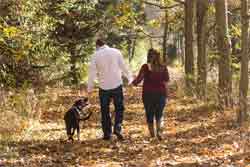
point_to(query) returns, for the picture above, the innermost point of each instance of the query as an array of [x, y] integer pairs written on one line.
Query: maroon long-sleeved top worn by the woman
[[154, 82]]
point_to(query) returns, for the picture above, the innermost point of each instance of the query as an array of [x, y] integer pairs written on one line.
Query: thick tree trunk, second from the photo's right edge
[[223, 44]]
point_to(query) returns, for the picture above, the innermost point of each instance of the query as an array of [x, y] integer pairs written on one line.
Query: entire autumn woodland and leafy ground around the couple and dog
[[45, 48]]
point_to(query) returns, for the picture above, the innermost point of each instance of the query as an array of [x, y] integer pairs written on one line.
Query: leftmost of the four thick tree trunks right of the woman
[[189, 45]]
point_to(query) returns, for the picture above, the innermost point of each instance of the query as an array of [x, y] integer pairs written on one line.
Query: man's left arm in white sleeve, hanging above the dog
[[92, 74]]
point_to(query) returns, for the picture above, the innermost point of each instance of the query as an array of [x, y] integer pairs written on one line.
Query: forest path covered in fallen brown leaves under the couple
[[194, 135]]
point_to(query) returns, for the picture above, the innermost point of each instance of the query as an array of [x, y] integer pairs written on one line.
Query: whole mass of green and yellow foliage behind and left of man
[[48, 42]]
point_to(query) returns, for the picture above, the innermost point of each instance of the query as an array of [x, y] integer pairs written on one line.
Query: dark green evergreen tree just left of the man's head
[[77, 22]]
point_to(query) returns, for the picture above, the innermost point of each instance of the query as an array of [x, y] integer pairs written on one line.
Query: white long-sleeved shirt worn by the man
[[107, 65]]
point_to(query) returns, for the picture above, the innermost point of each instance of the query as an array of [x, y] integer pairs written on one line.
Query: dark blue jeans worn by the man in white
[[105, 98]]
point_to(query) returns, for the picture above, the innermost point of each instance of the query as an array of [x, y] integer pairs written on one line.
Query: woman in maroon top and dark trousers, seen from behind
[[155, 76]]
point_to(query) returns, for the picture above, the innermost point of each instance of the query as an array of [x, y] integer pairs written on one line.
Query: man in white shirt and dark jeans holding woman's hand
[[107, 65]]
